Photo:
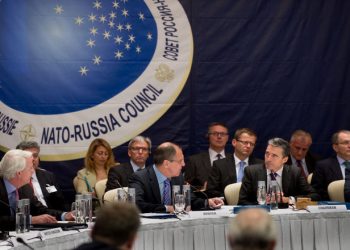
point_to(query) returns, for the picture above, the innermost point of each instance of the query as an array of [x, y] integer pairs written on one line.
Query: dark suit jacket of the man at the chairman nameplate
[[293, 183]]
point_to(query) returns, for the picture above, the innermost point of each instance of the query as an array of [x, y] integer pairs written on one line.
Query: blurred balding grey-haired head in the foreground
[[252, 229]]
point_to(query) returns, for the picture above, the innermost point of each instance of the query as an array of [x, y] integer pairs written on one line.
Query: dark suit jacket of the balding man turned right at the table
[[148, 197]]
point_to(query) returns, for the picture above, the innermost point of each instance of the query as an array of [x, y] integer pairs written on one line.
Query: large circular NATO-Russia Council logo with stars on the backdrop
[[72, 71]]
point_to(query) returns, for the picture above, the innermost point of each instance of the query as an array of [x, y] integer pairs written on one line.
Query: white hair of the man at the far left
[[12, 162]]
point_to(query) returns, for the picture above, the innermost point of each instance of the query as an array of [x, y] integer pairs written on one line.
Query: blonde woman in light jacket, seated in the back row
[[98, 160]]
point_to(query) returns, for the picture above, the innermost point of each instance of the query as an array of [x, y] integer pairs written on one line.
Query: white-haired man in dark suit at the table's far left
[[16, 168]]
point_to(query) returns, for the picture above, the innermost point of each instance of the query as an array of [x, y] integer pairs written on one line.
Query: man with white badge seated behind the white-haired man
[[44, 183]]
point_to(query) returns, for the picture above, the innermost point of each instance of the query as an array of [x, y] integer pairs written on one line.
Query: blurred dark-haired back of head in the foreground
[[116, 223]]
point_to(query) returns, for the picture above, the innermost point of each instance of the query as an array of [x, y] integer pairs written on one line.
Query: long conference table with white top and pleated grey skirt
[[209, 229]]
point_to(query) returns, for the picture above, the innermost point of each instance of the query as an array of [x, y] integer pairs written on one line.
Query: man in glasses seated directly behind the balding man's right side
[[198, 166]]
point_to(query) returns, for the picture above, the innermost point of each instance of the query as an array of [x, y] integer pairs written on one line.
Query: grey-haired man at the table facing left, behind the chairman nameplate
[[289, 178]]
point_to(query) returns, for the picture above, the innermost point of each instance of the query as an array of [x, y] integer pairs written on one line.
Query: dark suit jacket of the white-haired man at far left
[[25, 192]]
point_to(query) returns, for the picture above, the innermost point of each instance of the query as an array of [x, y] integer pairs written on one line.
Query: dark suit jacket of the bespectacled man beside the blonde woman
[[119, 173]]
